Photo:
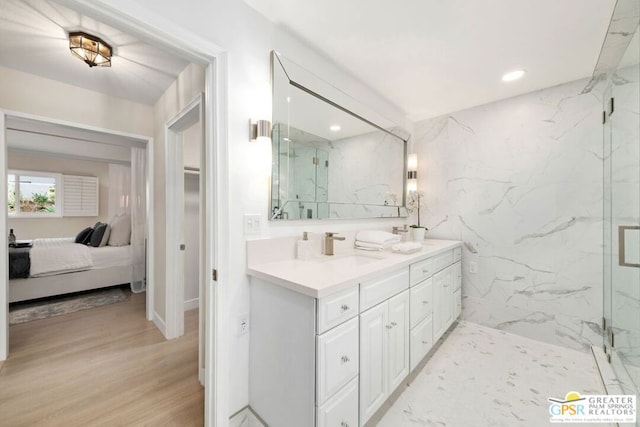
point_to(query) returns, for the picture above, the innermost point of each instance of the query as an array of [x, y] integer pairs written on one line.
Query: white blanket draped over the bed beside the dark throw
[[55, 256]]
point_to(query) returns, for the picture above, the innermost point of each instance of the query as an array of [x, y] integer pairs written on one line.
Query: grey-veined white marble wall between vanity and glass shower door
[[520, 182]]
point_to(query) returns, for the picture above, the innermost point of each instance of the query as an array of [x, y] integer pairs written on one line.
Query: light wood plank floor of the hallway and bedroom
[[106, 366]]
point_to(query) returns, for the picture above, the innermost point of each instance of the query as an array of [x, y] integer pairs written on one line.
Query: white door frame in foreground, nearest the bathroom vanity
[[151, 27]]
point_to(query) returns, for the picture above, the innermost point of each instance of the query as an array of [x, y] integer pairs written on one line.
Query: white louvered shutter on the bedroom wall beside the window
[[80, 195]]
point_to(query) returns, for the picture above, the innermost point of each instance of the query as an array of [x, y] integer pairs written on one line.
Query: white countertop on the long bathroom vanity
[[322, 276]]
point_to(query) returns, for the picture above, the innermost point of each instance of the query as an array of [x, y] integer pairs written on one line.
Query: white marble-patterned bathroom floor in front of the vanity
[[485, 377]]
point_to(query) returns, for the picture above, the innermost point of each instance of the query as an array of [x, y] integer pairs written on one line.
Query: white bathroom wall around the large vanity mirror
[[248, 38]]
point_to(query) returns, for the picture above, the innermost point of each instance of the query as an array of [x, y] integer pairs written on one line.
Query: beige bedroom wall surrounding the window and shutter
[[30, 228]]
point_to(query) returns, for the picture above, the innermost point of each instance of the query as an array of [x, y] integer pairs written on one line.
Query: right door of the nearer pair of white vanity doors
[[398, 339]]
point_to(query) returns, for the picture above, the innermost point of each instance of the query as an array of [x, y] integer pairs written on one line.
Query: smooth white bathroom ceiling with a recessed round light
[[434, 57]]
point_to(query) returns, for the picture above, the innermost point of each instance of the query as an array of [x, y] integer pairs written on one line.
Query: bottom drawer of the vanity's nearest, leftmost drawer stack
[[342, 409]]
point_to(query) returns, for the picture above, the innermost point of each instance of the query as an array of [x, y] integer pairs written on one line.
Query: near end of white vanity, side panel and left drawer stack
[[304, 358]]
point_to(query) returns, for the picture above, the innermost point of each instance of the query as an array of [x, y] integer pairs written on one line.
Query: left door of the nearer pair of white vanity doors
[[374, 325]]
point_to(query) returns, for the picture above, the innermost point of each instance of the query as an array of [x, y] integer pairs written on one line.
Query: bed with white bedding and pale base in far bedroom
[[61, 266]]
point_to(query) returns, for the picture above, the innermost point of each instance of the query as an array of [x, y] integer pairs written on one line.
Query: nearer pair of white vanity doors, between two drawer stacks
[[384, 352]]
